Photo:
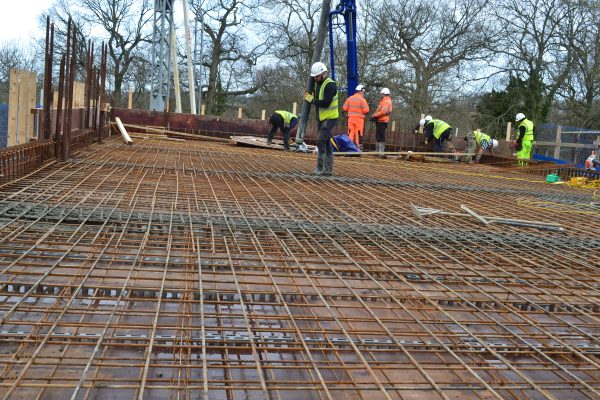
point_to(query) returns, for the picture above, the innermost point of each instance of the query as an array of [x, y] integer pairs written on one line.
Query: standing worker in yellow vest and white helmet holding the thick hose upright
[[326, 102]]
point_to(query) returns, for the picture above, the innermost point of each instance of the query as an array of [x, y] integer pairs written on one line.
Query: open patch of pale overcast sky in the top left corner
[[19, 19]]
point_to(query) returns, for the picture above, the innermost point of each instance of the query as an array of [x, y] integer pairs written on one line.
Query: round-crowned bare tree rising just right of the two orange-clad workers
[[423, 44]]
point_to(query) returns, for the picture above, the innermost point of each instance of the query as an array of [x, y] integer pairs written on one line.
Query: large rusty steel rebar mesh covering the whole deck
[[172, 269]]
